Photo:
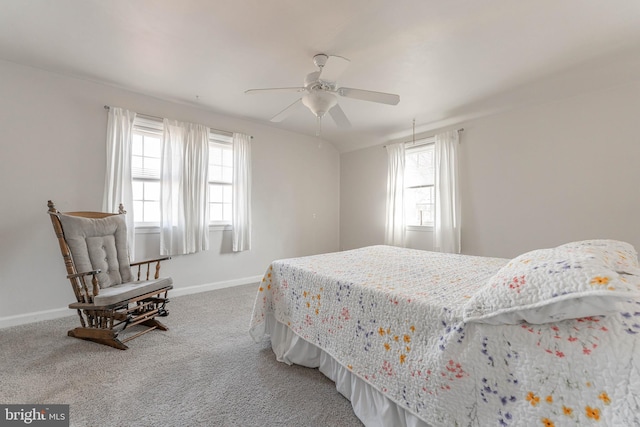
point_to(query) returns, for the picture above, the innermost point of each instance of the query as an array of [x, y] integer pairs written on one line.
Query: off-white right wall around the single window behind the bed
[[530, 178]]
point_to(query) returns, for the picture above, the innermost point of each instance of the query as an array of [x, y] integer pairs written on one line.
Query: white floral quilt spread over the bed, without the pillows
[[394, 318]]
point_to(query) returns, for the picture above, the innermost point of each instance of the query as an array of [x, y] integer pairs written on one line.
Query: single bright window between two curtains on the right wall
[[419, 177]]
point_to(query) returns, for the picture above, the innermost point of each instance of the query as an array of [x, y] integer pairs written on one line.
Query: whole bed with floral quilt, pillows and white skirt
[[420, 338]]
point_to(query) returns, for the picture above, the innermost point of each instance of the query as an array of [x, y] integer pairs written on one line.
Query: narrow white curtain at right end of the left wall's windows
[[241, 220]]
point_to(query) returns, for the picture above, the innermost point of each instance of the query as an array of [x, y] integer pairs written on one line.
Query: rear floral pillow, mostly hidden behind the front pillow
[[620, 256]]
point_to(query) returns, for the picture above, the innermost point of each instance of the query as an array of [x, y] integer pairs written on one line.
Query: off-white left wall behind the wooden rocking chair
[[52, 143]]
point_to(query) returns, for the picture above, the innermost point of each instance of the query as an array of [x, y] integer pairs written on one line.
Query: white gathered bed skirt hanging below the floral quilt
[[371, 406]]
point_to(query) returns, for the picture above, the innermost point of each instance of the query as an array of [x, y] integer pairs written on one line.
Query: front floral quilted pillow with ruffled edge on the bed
[[549, 285]]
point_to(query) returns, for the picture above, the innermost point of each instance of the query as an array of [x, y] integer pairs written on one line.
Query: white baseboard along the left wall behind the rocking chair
[[37, 316]]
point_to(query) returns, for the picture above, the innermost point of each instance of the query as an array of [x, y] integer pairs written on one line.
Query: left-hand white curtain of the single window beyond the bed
[[395, 221]]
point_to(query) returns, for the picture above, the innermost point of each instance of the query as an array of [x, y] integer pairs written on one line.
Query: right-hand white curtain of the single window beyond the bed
[[447, 194]]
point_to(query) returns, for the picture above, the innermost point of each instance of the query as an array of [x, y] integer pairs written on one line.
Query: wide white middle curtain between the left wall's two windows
[[184, 224]]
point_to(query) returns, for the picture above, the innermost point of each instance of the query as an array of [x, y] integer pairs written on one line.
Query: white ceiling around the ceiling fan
[[448, 60]]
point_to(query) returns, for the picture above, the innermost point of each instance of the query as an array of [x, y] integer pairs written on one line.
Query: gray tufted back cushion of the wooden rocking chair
[[99, 243]]
